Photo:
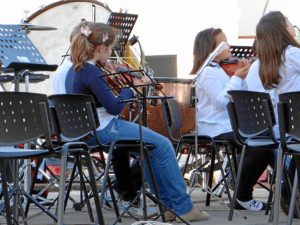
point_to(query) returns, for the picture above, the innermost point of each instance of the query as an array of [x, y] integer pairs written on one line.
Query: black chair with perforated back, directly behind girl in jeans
[[72, 114]]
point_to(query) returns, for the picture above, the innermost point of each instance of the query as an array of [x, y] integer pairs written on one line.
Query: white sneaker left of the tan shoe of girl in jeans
[[136, 209]]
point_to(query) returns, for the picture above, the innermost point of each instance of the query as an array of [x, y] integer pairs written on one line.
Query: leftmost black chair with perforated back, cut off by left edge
[[24, 117]]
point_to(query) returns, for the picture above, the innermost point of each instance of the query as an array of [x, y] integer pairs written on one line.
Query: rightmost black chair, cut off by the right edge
[[289, 127]]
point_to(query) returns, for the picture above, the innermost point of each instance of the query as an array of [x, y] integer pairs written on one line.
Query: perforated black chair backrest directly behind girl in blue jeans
[[75, 115]]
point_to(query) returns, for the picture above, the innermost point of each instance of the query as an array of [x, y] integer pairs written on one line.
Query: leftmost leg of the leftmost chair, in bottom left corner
[[5, 192]]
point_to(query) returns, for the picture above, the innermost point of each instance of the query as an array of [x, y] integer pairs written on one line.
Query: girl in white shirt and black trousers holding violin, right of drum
[[213, 120]]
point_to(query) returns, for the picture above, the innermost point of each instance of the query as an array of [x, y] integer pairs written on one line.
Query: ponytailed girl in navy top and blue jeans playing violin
[[92, 45]]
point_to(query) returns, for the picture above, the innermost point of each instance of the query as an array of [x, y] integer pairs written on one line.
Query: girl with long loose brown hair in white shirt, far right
[[277, 70]]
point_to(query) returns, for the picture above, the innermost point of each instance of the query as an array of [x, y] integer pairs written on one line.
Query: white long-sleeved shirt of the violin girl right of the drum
[[211, 90]]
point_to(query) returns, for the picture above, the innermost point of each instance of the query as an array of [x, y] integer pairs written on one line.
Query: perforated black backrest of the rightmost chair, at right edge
[[289, 115]]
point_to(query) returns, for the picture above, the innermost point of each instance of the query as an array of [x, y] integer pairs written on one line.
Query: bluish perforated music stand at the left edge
[[17, 52]]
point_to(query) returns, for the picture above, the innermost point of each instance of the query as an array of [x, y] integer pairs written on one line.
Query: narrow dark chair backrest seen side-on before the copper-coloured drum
[[173, 117]]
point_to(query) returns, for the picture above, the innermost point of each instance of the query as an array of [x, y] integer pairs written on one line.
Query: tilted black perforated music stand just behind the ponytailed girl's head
[[123, 24]]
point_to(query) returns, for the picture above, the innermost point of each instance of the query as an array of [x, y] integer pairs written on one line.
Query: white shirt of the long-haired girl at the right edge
[[289, 72]]
